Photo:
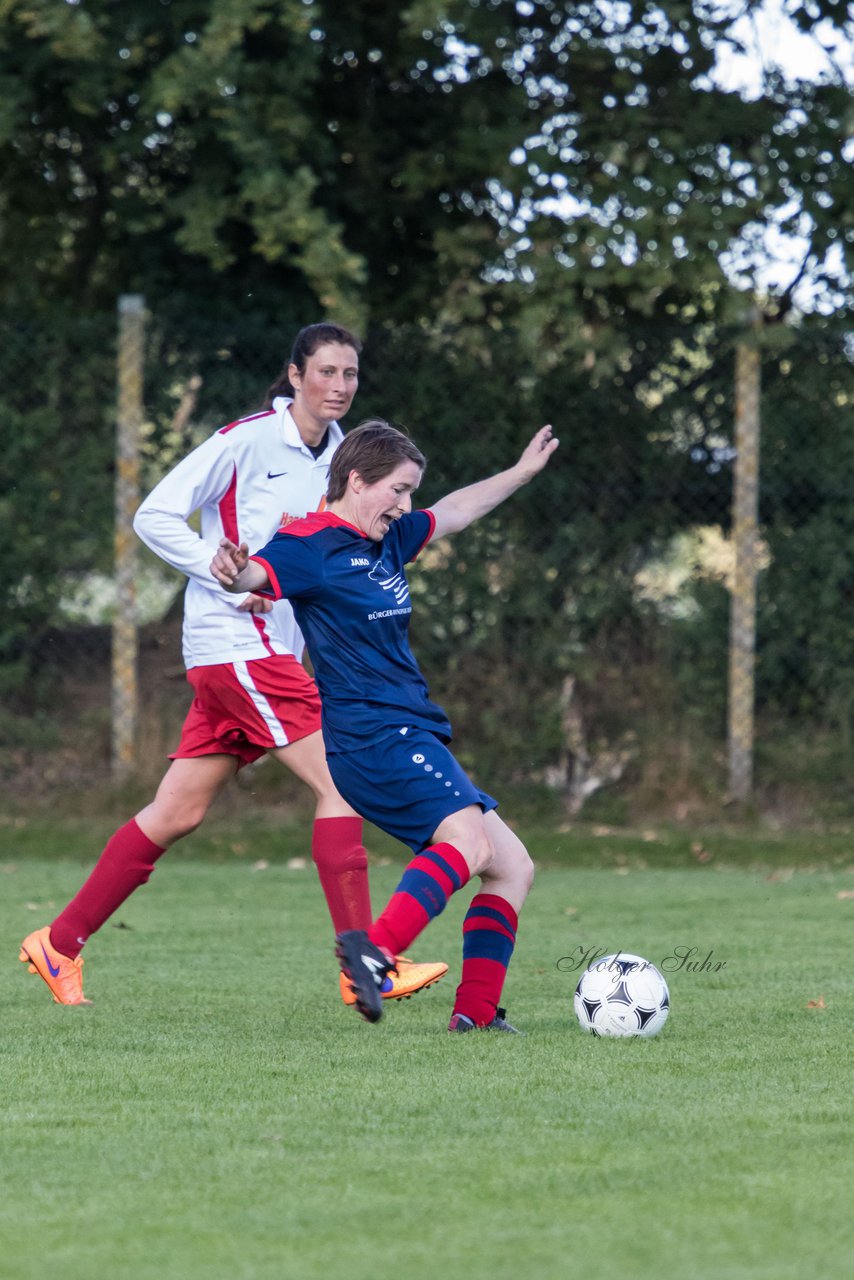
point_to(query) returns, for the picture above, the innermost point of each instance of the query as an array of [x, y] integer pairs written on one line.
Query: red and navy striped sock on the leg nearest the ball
[[488, 940]]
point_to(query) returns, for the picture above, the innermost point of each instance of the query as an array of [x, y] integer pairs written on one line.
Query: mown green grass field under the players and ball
[[218, 1114]]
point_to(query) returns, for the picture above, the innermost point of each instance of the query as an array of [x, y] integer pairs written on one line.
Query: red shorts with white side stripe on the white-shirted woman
[[248, 708]]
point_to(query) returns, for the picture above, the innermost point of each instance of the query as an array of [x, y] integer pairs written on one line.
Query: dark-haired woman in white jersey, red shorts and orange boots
[[253, 696]]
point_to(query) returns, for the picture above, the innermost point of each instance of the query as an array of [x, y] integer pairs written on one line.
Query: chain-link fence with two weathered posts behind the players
[[604, 632]]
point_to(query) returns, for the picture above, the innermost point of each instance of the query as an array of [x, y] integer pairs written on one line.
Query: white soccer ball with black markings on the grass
[[622, 995]]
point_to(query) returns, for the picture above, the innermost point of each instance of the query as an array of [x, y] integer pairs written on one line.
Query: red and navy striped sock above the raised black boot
[[428, 883]]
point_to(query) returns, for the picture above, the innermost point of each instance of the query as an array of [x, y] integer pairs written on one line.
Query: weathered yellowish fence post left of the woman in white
[[127, 496]]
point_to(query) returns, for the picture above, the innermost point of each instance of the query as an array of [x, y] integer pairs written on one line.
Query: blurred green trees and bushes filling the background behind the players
[[532, 212]]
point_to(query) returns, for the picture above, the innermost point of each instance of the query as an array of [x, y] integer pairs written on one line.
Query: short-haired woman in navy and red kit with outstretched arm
[[344, 572]]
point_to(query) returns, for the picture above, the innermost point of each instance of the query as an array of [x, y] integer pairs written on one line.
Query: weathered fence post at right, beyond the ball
[[743, 604]]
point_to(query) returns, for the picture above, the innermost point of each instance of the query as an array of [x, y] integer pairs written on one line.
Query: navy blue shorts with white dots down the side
[[407, 785]]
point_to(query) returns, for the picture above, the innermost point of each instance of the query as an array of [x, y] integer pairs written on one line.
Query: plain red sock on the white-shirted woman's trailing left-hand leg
[[126, 863]]
